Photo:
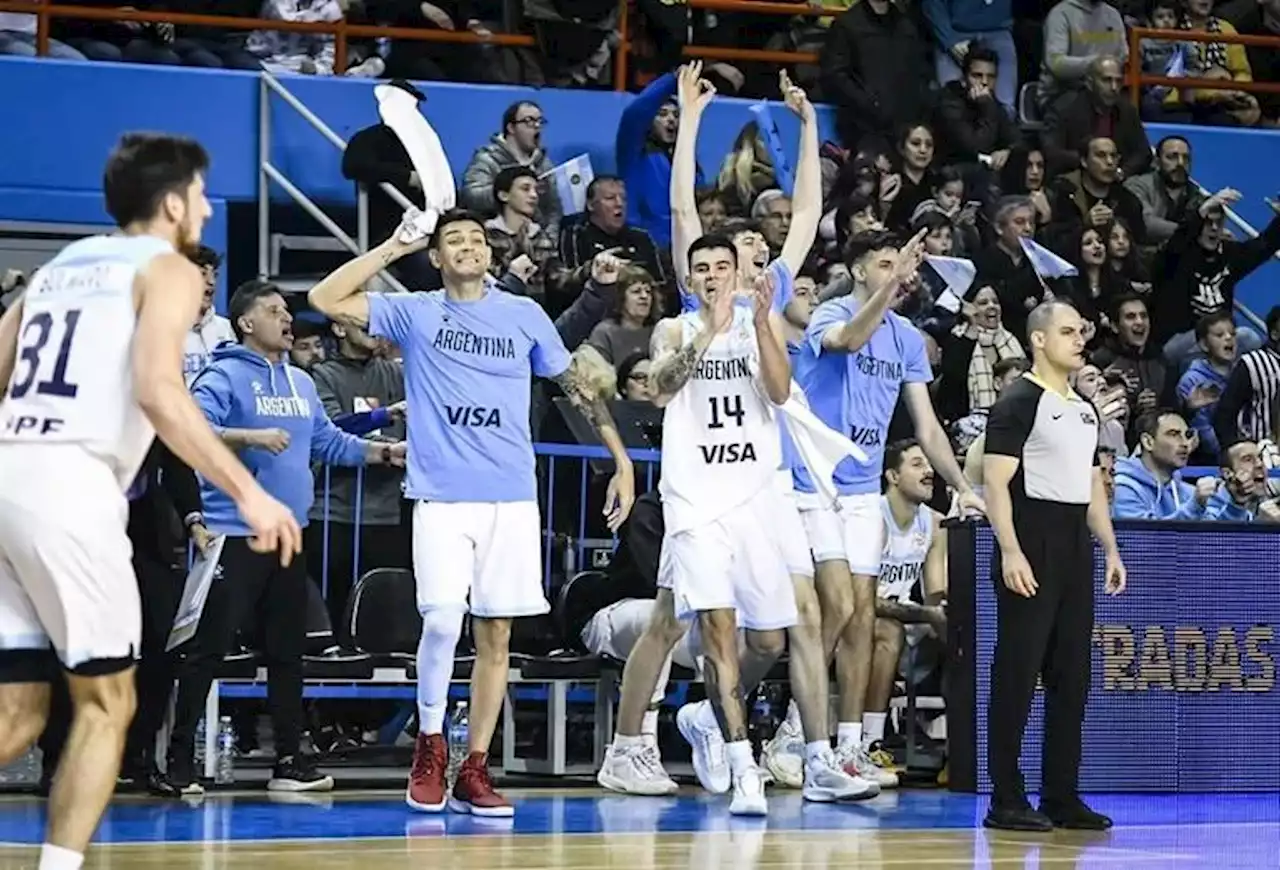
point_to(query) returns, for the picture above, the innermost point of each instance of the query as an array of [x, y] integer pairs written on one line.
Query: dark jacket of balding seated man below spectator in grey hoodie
[[1075, 118]]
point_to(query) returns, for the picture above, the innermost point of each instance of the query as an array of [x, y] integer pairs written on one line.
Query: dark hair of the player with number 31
[[144, 170]]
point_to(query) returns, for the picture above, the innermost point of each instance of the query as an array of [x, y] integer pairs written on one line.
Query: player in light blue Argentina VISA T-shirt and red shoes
[[469, 352]]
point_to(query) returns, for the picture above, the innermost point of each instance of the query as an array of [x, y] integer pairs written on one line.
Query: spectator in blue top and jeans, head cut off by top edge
[[958, 25]]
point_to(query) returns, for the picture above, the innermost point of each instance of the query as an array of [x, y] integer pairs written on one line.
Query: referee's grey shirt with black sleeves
[[1055, 439]]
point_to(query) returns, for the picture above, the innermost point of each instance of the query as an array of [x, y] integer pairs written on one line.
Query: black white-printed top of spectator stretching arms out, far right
[[1192, 282]]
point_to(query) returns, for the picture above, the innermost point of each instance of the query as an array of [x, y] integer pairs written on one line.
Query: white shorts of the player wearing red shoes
[[487, 551]]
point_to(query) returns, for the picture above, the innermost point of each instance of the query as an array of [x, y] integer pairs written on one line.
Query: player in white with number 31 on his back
[[93, 358]]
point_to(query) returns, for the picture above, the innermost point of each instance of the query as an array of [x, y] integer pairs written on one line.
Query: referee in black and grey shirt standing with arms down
[[1045, 496]]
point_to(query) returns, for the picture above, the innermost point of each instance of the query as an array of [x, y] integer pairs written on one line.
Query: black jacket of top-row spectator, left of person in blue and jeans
[[876, 70]]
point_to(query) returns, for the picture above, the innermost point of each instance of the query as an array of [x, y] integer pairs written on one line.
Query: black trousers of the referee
[[1048, 637]]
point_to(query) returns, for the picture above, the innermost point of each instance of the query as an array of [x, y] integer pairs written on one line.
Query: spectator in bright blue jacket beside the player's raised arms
[[647, 139]]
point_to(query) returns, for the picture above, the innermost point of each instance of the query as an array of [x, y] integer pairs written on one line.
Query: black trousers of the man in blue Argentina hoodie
[[254, 592]]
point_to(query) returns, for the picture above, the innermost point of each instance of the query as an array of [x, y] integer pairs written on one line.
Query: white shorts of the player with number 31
[[66, 562]]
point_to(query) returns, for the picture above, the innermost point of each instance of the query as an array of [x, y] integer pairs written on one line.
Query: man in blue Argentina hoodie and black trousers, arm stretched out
[[267, 411]]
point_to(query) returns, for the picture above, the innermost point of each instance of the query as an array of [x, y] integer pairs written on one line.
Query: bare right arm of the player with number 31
[[168, 296]]
